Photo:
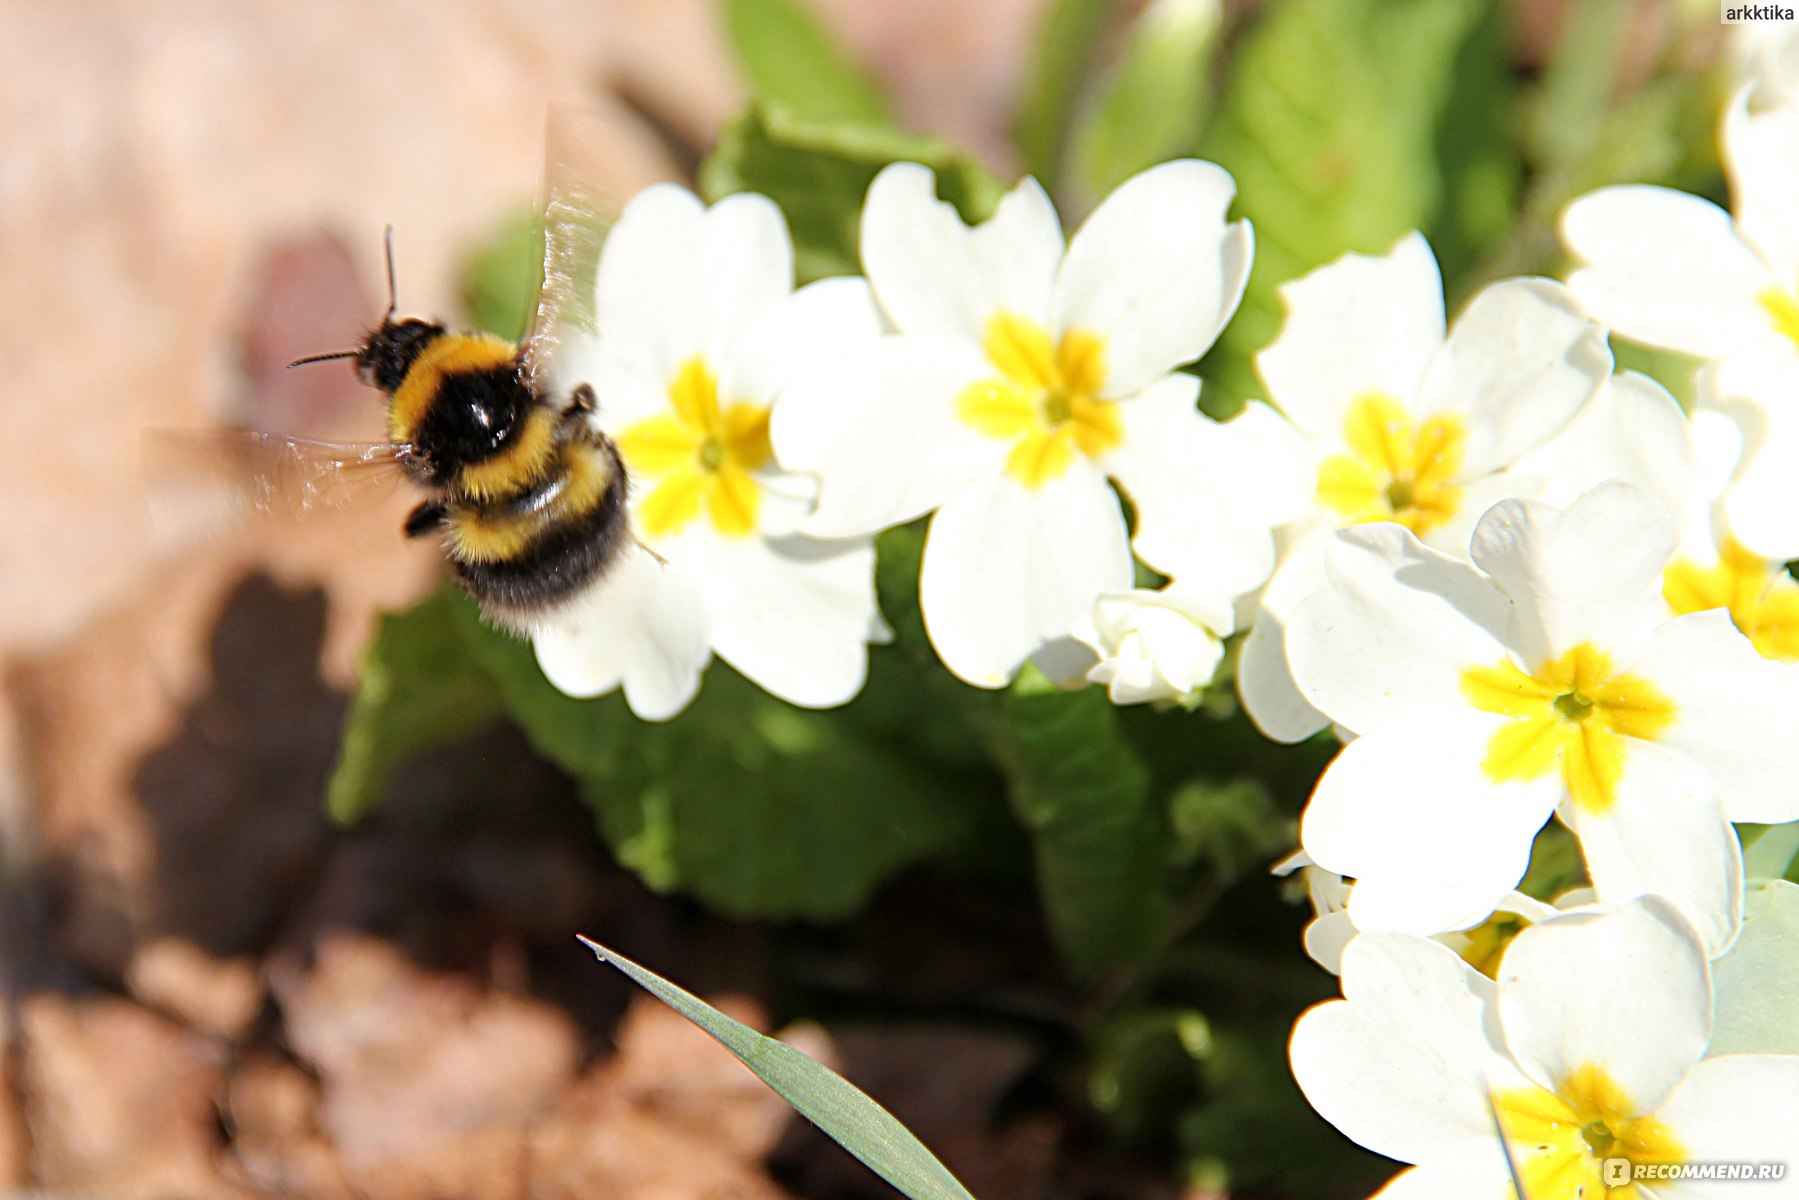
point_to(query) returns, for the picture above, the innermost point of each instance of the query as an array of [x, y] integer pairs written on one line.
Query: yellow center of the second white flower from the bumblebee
[[1044, 400]]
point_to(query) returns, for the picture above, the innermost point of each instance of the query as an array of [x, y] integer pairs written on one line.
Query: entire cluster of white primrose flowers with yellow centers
[[1516, 584]]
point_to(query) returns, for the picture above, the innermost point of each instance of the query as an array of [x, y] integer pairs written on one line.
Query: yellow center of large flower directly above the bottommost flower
[[1577, 713]]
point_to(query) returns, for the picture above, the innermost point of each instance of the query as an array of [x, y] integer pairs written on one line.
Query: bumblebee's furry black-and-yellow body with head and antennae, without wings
[[523, 487]]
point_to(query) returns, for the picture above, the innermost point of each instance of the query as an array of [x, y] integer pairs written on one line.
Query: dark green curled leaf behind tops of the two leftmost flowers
[[819, 174]]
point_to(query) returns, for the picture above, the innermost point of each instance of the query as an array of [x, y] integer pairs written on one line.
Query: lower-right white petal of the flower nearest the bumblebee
[[794, 614]]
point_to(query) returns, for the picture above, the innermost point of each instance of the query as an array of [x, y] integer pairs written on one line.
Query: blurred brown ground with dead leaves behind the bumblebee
[[210, 992]]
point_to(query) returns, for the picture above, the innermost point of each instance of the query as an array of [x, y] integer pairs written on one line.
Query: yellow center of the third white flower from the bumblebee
[[1395, 470]]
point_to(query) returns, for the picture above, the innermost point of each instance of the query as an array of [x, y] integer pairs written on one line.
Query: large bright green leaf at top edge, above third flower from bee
[[1330, 123]]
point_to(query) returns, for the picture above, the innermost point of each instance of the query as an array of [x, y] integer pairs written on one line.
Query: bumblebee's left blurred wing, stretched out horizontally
[[210, 481]]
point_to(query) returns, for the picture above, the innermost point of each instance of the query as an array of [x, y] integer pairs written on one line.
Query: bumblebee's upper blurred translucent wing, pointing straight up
[[573, 233]]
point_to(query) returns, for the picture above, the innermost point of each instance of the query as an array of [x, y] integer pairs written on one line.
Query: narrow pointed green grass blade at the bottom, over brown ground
[[843, 1111]]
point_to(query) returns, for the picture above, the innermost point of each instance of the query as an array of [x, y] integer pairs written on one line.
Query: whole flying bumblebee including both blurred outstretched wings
[[523, 487]]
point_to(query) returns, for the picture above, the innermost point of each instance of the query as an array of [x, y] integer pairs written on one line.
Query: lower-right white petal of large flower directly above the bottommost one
[[1665, 834]]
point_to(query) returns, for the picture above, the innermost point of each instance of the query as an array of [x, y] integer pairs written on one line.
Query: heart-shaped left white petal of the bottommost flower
[[1397, 1066]]
